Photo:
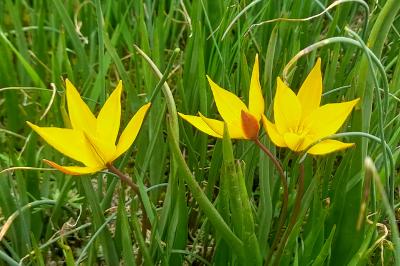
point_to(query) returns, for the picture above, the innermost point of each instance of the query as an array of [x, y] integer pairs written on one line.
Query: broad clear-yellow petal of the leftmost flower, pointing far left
[[69, 142]]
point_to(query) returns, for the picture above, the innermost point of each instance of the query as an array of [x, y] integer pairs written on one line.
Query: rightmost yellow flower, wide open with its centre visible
[[301, 121]]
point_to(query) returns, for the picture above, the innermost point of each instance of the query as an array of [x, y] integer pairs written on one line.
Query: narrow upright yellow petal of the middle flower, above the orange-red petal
[[256, 100]]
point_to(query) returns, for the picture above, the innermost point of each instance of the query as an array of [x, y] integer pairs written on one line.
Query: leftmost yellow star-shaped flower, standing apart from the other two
[[91, 140]]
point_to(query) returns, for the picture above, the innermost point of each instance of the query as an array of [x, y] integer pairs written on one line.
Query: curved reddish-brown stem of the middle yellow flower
[[282, 216]]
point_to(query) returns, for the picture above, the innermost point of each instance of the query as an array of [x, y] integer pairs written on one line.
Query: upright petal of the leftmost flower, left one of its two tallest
[[79, 113]]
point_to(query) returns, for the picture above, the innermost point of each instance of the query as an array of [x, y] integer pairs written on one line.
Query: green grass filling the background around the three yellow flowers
[[95, 219]]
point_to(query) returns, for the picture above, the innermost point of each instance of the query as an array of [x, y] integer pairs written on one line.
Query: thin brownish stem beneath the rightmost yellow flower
[[295, 214]]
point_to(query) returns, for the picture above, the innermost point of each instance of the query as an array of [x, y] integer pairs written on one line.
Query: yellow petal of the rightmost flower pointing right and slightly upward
[[327, 119]]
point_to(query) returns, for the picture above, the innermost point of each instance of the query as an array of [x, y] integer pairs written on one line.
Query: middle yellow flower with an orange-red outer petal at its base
[[242, 122]]
